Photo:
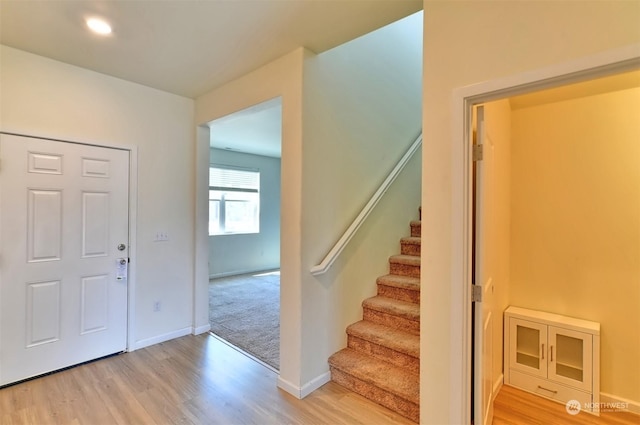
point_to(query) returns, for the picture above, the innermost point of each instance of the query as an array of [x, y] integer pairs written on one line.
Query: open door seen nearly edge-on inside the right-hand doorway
[[484, 233]]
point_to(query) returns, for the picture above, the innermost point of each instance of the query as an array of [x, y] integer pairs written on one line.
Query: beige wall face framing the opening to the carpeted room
[[282, 77]]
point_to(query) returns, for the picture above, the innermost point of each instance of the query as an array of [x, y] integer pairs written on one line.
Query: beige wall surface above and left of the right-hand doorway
[[468, 42]]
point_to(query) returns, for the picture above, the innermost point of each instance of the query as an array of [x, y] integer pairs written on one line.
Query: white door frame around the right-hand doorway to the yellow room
[[464, 98]]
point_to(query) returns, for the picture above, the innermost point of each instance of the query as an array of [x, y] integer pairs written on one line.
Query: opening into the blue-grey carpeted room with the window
[[244, 230]]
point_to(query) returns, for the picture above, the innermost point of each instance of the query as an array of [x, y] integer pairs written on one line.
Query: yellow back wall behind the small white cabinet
[[575, 229]]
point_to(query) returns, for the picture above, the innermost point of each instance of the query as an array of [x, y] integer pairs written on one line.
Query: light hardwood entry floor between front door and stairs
[[189, 380]]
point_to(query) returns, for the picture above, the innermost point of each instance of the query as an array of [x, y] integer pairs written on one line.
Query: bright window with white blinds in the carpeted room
[[234, 200]]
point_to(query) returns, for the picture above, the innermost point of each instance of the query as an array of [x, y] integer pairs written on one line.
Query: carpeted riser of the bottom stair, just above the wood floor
[[406, 408]]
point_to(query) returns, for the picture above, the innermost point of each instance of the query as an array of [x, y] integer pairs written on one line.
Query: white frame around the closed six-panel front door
[[133, 214]]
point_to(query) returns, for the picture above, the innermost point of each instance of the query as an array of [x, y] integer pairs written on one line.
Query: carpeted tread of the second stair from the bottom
[[395, 339]]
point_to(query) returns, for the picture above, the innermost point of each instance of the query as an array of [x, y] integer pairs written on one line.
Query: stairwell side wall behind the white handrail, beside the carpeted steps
[[361, 113]]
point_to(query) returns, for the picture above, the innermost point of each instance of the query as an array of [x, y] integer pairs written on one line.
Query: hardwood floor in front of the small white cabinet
[[516, 407]]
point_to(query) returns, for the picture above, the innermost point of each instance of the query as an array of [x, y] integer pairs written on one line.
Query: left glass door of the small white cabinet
[[527, 352]]
